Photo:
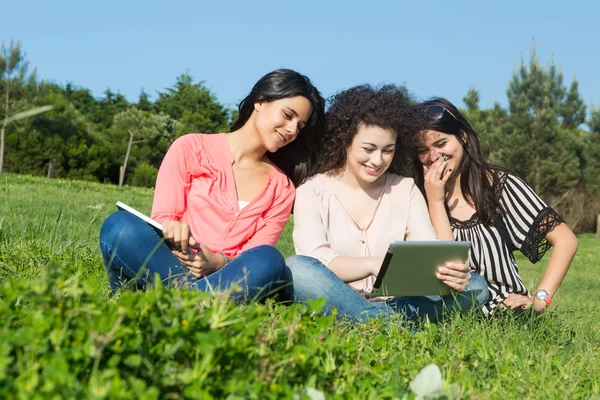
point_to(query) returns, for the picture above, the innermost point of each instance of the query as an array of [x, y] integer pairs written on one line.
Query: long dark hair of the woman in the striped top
[[479, 180]]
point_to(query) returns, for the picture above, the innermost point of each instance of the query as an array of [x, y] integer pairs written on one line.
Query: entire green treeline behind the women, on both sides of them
[[112, 140]]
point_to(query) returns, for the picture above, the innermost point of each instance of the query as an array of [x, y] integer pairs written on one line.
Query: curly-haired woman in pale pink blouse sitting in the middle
[[346, 215]]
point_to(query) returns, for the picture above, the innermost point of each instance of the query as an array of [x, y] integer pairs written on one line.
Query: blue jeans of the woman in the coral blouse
[[133, 253]]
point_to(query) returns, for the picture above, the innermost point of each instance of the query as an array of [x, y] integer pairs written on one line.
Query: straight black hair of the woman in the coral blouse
[[298, 158]]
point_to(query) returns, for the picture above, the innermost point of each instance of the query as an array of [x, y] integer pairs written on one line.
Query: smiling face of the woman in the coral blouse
[[279, 122]]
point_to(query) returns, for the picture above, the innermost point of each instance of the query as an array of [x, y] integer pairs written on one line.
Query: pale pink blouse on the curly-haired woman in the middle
[[323, 229]]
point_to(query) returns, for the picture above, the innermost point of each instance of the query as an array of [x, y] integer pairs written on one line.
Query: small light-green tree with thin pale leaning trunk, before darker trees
[[144, 126]]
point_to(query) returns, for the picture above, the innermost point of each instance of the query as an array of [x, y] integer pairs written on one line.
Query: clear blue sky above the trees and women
[[433, 47]]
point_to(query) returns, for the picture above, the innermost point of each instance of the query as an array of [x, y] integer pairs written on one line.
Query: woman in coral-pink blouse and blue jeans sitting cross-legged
[[223, 199]]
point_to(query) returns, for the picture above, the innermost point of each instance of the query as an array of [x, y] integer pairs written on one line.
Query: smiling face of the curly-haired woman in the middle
[[371, 153]]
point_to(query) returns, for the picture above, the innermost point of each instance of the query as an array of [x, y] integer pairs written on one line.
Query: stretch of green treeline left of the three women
[[84, 137]]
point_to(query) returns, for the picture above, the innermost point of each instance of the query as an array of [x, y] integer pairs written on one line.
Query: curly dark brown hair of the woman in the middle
[[388, 107]]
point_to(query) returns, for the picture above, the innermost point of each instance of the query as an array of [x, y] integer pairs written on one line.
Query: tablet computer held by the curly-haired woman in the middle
[[409, 267]]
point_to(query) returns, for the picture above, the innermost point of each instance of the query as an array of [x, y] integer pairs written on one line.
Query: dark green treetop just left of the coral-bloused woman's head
[[194, 106]]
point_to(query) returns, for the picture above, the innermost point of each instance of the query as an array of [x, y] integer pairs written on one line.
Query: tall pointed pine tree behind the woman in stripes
[[540, 140]]
